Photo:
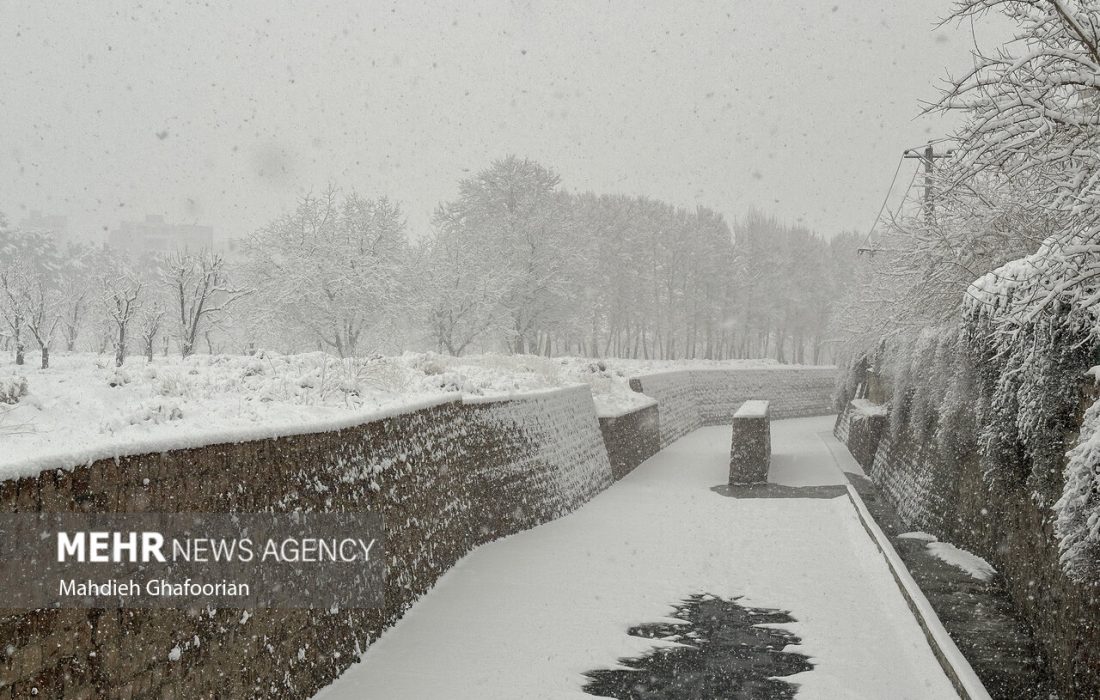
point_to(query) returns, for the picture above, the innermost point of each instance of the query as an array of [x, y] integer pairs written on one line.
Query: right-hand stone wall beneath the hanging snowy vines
[[929, 467]]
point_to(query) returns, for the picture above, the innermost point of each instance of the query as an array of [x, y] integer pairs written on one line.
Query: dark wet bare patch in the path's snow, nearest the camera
[[724, 654]]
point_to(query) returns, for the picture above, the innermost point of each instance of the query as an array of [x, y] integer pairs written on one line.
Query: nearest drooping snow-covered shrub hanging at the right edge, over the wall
[[1035, 364]]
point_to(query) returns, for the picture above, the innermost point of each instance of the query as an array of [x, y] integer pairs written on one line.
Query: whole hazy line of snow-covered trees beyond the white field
[[514, 264]]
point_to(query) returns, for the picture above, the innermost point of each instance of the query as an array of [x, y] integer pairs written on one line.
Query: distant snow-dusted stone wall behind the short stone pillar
[[691, 399]]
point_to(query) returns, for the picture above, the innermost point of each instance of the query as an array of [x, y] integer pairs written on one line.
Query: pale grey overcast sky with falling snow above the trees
[[224, 114]]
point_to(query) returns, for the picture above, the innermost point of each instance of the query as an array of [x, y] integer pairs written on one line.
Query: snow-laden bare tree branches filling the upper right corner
[[1033, 118]]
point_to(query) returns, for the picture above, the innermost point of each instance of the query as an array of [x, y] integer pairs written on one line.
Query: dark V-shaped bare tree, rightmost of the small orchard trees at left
[[201, 291]]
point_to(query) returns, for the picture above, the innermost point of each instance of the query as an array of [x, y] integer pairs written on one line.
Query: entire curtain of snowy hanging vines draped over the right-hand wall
[[1005, 389]]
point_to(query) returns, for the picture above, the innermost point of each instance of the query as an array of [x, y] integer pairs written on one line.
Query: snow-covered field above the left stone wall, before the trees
[[84, 409]]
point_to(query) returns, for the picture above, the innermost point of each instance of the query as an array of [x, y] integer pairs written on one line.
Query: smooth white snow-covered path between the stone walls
[[527, 616]]
